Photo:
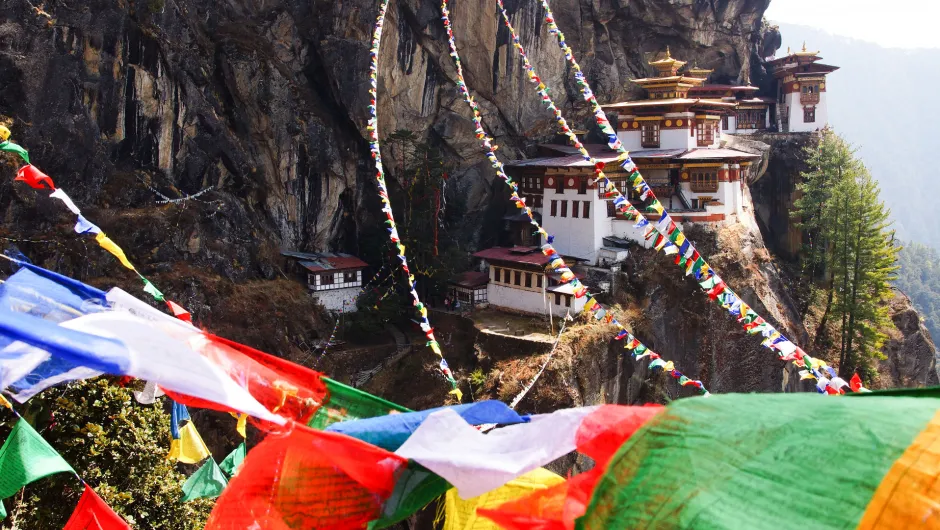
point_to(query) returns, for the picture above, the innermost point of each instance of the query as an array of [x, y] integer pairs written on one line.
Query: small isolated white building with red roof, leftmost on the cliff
[[334, 279]]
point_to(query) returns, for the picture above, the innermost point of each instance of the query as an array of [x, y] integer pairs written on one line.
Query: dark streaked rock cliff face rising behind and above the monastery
[[264, 103]]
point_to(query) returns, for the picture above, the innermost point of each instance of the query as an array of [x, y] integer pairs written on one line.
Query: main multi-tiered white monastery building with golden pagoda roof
[[674, 140]]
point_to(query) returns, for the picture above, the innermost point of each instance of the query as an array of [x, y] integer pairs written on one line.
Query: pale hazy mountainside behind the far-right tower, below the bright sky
[[880, 102]]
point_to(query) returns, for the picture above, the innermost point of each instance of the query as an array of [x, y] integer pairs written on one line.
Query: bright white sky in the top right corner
[[889, 23]]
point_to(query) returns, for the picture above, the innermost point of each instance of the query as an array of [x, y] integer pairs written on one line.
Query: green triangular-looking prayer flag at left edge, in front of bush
[[25, 457]]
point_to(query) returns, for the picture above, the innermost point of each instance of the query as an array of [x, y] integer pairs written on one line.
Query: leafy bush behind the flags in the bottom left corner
[[118, 446]]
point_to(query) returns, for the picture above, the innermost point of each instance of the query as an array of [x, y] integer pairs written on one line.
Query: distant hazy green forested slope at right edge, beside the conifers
[[919, 278]]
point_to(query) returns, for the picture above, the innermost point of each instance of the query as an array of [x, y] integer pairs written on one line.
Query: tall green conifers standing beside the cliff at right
[[850, 254]]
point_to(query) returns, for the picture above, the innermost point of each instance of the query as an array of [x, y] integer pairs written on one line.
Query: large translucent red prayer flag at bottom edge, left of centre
[[307, 479]]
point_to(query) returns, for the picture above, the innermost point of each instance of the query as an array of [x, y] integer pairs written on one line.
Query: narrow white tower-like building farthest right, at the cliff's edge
[[801, 91]]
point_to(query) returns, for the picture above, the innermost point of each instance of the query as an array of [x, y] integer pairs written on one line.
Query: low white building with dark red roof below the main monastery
[[518, 281]]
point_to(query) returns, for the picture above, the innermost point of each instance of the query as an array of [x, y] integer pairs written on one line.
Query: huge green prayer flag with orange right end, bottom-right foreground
[[738, 459]]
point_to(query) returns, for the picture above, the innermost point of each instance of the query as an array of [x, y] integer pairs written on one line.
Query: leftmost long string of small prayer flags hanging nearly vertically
[[373, 128]]
